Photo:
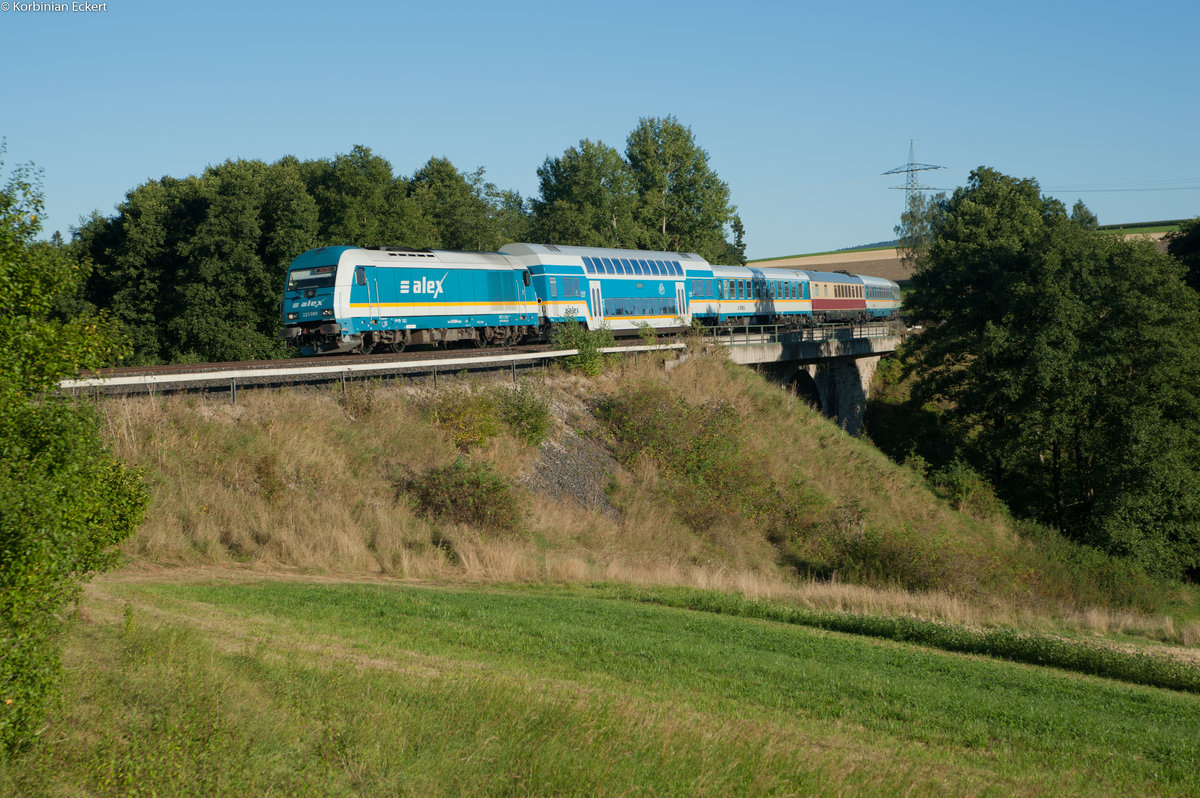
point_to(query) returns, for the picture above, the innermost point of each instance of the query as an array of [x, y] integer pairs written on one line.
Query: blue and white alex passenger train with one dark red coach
[[345, 299]]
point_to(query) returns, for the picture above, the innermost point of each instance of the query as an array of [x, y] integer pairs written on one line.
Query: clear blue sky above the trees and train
[[801, 106]]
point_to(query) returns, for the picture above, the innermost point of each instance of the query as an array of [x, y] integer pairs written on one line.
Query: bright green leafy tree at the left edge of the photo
[[64, 501]]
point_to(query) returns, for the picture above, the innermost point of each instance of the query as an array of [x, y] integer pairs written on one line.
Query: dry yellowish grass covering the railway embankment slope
[[313, 482]]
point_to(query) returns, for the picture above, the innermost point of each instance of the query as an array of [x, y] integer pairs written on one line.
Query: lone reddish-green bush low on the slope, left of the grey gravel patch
[[466, 493]]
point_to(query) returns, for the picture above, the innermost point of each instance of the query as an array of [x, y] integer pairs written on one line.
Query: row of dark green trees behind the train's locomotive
[[193, 269]]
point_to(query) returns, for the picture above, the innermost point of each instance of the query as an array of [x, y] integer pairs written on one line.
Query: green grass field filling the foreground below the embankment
[[333, 688]]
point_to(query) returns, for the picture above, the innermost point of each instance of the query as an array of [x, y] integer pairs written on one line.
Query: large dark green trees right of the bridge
[[1060, 364]]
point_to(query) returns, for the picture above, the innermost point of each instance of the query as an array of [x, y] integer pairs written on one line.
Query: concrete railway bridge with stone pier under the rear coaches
[[832, 368]]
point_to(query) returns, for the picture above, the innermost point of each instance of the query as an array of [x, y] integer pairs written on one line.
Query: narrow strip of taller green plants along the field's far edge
[[1004, 644]]
